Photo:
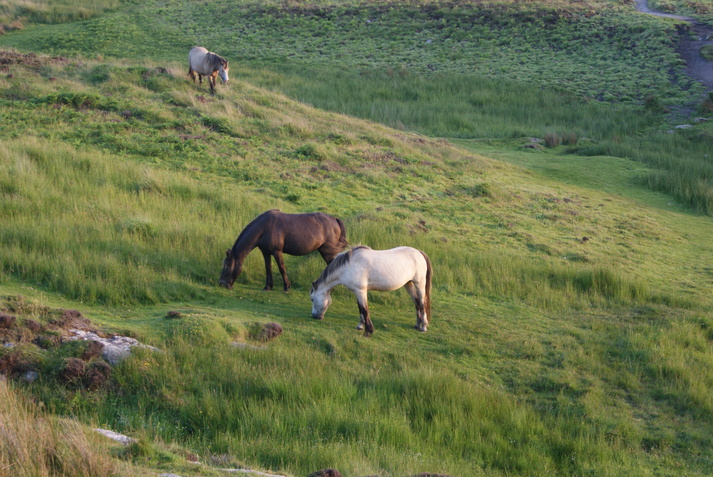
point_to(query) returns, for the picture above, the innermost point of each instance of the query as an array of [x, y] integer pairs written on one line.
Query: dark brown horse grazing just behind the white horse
[[275, 233]]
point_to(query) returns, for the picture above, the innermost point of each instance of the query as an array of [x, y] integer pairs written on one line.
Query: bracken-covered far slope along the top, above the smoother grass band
[[556, 44]]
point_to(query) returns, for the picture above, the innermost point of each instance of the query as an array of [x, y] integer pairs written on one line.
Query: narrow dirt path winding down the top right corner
[[689, 48]]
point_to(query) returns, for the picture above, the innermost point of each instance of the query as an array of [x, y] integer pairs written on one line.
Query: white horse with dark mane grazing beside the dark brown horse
[[361, 269]]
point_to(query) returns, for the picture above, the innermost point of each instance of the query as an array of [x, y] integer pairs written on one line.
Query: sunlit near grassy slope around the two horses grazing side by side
[[564, 331]]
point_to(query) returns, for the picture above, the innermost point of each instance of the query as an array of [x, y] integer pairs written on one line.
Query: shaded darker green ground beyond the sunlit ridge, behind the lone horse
[[454, 70]]
